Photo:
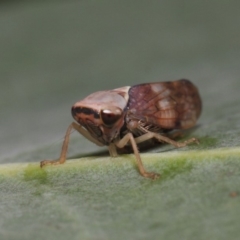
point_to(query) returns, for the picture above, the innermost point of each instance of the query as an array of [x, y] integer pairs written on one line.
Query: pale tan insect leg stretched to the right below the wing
[[162, 138]]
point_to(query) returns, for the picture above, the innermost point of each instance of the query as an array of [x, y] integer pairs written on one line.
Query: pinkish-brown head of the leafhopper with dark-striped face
[[102, 114]]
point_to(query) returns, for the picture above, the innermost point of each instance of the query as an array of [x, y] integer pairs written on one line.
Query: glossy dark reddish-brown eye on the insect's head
[[110, 116]]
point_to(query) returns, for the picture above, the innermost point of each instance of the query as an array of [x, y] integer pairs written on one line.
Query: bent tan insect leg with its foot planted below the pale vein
[[129, 138]]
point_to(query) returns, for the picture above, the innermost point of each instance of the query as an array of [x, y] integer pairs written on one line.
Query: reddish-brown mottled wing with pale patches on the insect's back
[[168, 105]]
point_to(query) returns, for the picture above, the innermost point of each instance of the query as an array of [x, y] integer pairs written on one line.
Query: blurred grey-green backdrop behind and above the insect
[[54, 53]]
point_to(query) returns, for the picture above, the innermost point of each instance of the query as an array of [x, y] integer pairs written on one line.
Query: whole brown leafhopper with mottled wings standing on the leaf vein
[[132, 115]]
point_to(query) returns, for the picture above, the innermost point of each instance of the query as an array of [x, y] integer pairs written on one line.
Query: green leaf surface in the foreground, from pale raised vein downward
[[97, 197]]
